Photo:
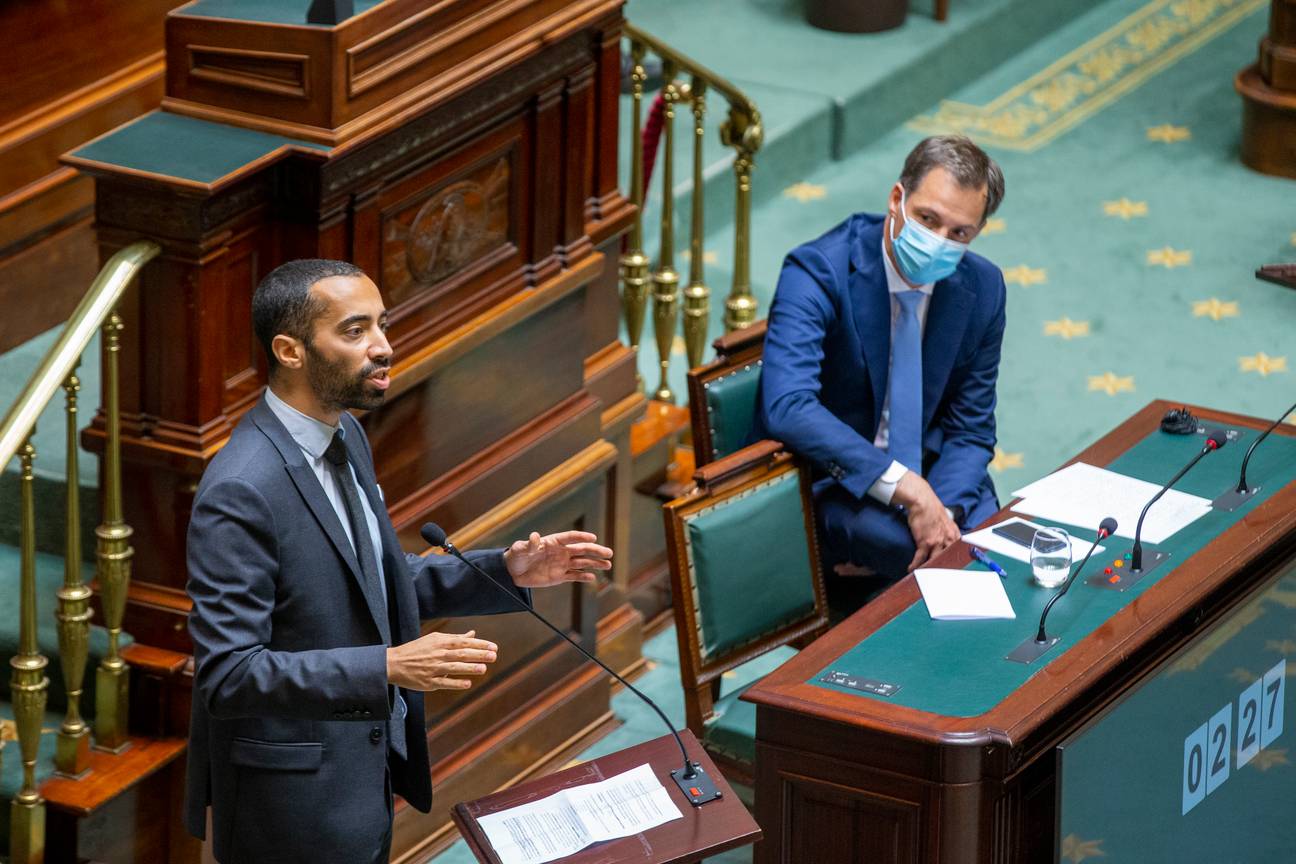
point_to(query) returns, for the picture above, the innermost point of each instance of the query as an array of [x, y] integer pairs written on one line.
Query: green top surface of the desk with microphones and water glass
[[958, 669]]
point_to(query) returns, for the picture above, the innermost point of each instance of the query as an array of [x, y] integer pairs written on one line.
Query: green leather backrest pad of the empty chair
[[750, 565]]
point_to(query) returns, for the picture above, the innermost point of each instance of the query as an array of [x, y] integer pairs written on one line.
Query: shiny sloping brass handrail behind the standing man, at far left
[[65, 354]]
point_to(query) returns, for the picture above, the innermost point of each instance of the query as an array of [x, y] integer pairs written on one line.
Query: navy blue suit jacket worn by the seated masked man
[[827, 358]]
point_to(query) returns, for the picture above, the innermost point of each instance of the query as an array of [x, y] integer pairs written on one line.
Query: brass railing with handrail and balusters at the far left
[[58, 371]]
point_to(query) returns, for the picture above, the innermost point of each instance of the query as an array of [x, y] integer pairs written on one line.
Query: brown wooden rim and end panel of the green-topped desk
[[848, 778]]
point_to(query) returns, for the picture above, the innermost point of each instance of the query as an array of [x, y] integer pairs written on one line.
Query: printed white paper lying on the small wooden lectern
[[570, 821]]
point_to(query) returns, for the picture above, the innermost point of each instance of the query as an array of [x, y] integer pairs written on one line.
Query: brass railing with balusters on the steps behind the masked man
[[743, 133]]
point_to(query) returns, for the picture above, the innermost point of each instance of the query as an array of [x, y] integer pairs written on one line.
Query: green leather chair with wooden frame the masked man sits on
[[723, 394]]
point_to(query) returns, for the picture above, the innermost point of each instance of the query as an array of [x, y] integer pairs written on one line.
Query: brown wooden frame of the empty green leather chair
[[702, 678]]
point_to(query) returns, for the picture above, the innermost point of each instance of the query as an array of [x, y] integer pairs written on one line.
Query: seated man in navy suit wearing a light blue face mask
[[881, 365]]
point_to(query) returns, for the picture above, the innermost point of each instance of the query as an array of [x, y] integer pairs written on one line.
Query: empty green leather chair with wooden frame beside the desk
[[745, 569]]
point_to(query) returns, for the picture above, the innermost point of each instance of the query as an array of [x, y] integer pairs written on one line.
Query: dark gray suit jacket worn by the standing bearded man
[[290, 736]]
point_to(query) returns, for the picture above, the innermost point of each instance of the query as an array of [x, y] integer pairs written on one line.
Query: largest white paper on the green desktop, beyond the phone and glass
[[1084, 495]]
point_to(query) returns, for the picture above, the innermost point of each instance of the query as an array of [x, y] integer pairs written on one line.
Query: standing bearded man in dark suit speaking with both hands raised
[[309, 666]]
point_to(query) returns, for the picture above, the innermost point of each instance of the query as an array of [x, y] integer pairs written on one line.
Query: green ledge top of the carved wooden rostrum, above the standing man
[[185, 148]]
